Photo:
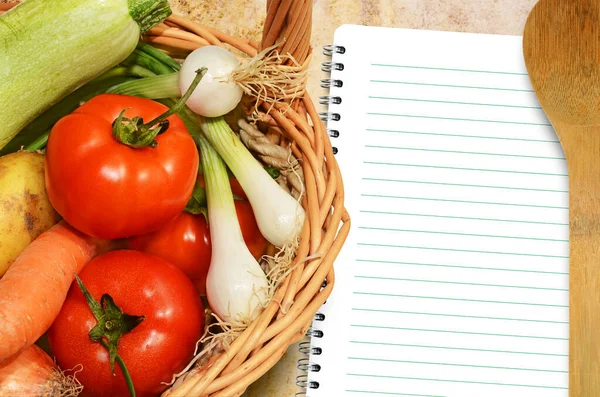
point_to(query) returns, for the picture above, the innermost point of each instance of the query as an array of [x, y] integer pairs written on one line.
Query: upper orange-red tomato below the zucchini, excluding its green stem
[[109, 190]]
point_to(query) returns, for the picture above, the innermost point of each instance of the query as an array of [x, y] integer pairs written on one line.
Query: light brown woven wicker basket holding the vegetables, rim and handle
[[288, 317]]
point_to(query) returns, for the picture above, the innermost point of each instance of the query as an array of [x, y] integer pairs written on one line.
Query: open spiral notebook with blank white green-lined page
[[454, 279]]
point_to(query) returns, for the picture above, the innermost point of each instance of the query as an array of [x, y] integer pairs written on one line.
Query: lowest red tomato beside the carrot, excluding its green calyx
[[160, 346]]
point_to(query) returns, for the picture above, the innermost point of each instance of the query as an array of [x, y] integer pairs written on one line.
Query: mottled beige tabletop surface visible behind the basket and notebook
[[245, 18]]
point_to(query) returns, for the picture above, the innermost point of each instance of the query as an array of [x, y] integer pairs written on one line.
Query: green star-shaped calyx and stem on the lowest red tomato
[[112, 325]]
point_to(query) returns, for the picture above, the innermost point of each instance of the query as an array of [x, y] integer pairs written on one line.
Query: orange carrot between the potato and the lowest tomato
[[35, 286]]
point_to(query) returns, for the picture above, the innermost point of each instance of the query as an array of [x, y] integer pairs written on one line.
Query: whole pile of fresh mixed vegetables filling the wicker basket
[[138, 233]]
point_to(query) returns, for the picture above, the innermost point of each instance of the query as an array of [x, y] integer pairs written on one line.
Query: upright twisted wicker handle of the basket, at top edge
[[289, 22]]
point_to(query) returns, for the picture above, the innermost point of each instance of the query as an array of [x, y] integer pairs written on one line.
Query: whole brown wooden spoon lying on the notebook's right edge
[[561, 46]]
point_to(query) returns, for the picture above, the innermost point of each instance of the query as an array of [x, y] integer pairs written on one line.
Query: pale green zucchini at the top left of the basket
[[50, 48]]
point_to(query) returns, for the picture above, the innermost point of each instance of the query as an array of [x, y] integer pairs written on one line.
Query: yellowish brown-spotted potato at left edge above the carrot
[[25, 211]]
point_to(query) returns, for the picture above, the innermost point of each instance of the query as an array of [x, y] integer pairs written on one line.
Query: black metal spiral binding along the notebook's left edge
[[307, 365]]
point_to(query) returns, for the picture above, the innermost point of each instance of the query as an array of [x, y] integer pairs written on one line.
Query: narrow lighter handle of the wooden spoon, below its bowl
[[581, 145]]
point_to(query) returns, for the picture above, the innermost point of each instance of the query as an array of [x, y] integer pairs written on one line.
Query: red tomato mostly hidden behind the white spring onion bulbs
[[185, 242]]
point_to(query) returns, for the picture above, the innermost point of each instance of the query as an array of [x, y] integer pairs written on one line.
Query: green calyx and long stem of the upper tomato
[[136, 134]]
